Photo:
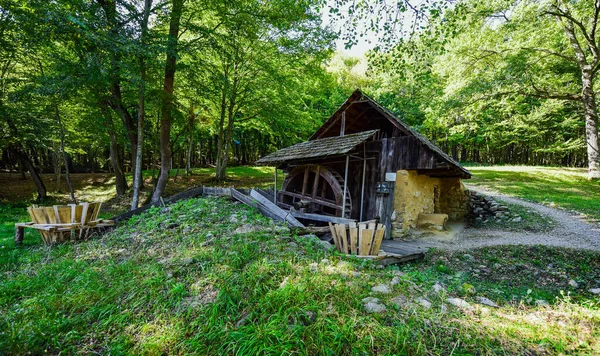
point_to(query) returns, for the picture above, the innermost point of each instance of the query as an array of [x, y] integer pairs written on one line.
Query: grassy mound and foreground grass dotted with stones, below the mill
[[180, 280]]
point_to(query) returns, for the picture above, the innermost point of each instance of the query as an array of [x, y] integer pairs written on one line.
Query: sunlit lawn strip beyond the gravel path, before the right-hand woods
[[567, 188]]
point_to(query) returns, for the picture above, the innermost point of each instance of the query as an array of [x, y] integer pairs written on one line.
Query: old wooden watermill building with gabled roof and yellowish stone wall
[[365, 163]]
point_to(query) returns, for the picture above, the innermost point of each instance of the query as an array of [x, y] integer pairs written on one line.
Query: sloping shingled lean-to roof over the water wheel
[[324, 147]]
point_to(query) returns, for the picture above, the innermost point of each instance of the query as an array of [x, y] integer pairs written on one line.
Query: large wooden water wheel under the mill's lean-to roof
[[316, 189]]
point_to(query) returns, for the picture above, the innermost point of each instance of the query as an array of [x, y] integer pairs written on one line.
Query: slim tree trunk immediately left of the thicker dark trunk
[[137, 172]]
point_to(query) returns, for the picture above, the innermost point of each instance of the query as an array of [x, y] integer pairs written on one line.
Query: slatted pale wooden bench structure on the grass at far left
[[60, 223]]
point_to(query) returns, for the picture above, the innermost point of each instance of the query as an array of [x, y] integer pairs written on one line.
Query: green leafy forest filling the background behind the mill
[[125, 86]]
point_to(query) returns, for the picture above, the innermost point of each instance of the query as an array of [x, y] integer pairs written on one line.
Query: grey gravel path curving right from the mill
[[571, 231]]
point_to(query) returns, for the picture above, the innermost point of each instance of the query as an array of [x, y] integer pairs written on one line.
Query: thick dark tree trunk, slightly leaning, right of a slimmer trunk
[[167, 105]]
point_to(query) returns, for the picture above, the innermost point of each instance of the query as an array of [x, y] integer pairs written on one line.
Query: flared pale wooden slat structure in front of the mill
[[362, 239]]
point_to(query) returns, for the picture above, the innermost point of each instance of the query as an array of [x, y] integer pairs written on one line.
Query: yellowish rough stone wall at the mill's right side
[[417, 193]]
